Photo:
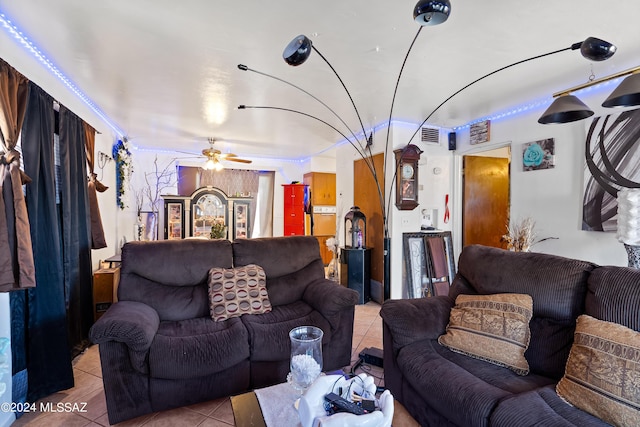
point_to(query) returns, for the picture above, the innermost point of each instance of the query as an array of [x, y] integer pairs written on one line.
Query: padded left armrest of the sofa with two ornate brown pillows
[[412, 320]]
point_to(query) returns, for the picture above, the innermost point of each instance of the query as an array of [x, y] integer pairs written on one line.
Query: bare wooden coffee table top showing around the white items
[[247, 413]]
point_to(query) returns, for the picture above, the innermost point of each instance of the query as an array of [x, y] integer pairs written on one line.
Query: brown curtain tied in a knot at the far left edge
[[16, 255]]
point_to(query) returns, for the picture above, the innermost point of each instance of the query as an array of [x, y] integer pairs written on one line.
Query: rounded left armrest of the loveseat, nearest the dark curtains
[[129, 322]]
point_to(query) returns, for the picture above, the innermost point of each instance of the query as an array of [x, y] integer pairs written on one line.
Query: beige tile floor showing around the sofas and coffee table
[[367, 332]]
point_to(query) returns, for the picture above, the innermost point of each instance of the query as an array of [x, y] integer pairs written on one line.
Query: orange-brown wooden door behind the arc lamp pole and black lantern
[[365, 195]]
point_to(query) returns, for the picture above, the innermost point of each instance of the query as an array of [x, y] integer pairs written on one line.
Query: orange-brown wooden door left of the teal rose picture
[[485, 200]]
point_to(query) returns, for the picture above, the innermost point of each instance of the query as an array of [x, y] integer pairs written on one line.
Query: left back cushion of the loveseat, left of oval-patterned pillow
[[171, 275]]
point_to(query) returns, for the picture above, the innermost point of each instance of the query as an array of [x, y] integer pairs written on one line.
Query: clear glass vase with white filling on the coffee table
[[306, 356]]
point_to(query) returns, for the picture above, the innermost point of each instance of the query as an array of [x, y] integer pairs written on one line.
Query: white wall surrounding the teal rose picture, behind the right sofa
[[553, 197]]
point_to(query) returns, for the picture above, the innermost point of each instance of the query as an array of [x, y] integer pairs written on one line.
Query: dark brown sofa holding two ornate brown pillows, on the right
[[442, 388]]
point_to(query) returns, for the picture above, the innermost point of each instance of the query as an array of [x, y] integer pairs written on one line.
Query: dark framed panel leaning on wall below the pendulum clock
[[429, 263]]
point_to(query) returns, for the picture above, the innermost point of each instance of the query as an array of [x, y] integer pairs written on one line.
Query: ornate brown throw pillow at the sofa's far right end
[[602, 376]]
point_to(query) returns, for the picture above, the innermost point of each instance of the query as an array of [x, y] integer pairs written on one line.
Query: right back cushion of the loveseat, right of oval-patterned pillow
[[290, 263]]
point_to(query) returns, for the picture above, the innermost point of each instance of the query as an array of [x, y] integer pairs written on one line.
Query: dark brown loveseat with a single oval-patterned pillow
[[159, 347]]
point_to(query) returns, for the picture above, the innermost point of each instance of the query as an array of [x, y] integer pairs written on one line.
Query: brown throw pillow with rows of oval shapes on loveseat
[[237, 291]]
